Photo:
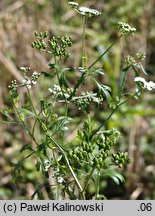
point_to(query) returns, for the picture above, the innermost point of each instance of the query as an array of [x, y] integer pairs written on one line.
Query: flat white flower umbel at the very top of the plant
[[85, 11]]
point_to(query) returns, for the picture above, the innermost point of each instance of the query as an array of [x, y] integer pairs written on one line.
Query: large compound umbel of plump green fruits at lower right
[[97, 151]]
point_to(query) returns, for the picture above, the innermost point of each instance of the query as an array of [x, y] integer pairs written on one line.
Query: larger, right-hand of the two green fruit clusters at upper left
[[59, 45]]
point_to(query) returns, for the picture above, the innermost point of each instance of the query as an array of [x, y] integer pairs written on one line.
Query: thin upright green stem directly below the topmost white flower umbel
[[83, 43]]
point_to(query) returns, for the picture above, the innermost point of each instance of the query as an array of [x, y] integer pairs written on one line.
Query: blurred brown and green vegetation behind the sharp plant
[[18, 21]]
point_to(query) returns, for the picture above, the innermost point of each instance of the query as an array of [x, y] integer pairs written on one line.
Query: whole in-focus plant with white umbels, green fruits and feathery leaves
[[73, 164]]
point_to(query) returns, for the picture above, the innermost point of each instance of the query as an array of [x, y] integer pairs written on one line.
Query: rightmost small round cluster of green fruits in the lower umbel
[[120, 159]]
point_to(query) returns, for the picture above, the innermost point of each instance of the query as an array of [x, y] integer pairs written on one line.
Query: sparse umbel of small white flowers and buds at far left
[[27, 81]]
